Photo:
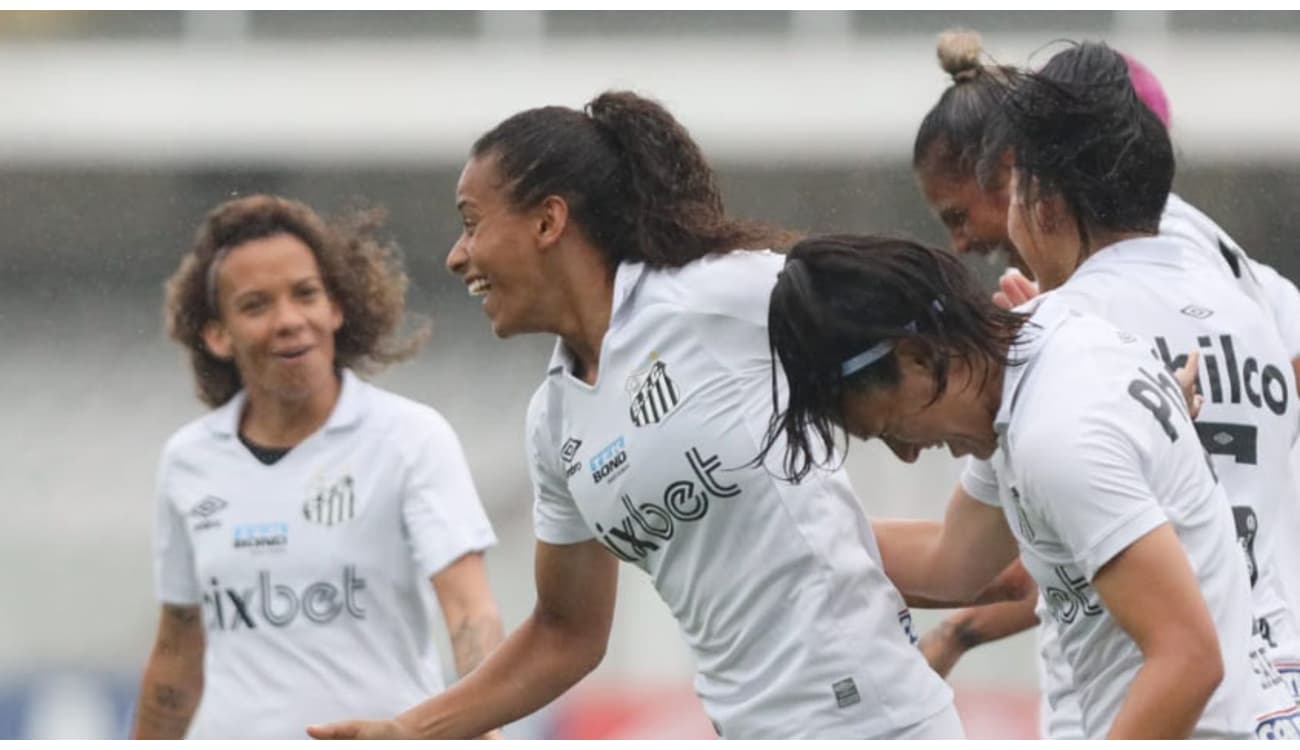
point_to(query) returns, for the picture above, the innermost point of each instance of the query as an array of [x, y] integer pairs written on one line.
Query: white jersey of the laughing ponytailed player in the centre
[[778, 588]]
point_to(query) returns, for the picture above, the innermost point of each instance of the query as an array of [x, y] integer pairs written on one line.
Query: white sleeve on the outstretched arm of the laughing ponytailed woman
[[556, 517]]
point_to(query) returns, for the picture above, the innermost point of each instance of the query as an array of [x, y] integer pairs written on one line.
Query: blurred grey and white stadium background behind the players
[[122, 129]]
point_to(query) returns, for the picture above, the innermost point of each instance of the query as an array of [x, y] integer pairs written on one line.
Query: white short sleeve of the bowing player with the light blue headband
[[1091, 488]]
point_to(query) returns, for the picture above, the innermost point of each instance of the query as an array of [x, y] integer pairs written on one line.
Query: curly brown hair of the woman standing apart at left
[[362, 274]]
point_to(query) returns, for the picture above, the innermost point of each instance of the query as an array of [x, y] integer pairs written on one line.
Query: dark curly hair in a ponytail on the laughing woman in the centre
[[635, 180]]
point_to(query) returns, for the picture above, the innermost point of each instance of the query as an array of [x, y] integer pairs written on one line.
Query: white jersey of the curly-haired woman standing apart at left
[[314, 573]]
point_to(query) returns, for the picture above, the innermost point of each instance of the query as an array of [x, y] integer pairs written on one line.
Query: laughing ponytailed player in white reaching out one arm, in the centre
[[606, 229]]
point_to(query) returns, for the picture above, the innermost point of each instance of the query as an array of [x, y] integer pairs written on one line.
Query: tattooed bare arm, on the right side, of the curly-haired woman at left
[[474, 622]]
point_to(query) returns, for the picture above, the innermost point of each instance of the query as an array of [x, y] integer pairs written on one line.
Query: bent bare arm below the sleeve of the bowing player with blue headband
[[1152, 592]]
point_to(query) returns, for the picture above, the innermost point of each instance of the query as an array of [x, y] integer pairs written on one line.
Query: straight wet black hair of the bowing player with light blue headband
[[842, 296]]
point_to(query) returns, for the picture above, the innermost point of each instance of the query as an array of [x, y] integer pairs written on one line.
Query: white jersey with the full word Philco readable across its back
[[1165, 291]]
